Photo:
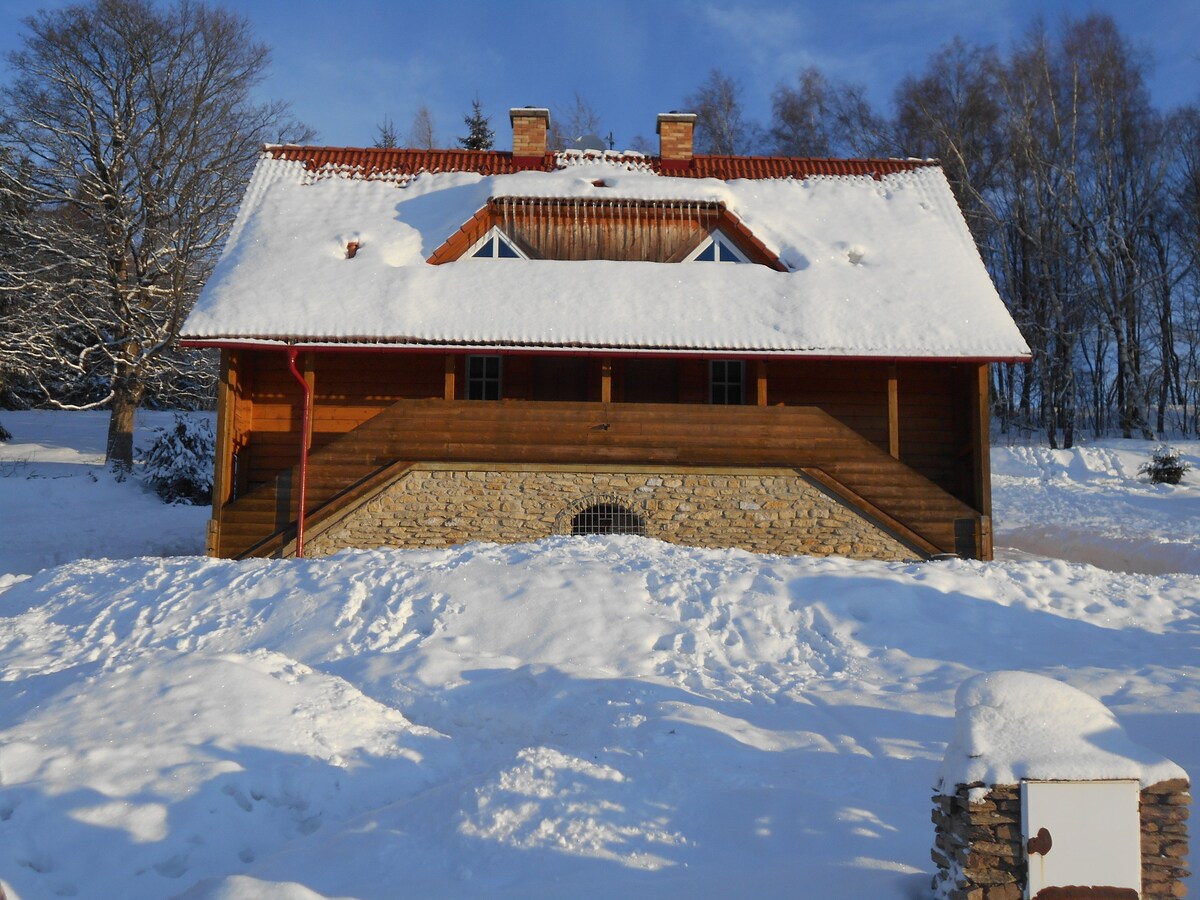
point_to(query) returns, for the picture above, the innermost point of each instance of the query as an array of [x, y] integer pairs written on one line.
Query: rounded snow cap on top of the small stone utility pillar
[[1018, 725]]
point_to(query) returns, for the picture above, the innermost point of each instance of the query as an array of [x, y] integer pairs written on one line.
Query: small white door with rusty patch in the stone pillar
[[1082, 835]]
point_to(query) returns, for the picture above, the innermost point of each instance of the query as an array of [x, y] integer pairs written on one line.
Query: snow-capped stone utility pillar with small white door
[[1042, 793]]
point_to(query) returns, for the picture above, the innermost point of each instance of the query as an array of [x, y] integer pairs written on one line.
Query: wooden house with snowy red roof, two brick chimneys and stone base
[[422, 349]]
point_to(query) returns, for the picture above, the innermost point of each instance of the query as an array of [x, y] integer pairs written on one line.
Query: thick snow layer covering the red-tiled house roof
[[878, 268]]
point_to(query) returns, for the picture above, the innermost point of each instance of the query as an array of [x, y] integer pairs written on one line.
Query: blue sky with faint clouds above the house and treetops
[[346, 67]]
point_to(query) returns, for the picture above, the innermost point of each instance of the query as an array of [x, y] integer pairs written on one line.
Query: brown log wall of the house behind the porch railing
[[932, 423]]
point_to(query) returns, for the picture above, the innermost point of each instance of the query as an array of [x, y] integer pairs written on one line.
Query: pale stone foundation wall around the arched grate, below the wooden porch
[[775, 512]]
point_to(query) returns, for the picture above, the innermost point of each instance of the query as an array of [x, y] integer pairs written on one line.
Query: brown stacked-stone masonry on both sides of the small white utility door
[[980, 856]]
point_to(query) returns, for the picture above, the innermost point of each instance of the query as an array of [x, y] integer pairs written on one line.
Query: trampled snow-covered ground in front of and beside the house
[[585, 718]]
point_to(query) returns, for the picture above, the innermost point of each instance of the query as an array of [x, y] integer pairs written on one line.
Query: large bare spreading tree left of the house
[[131, 131]]
